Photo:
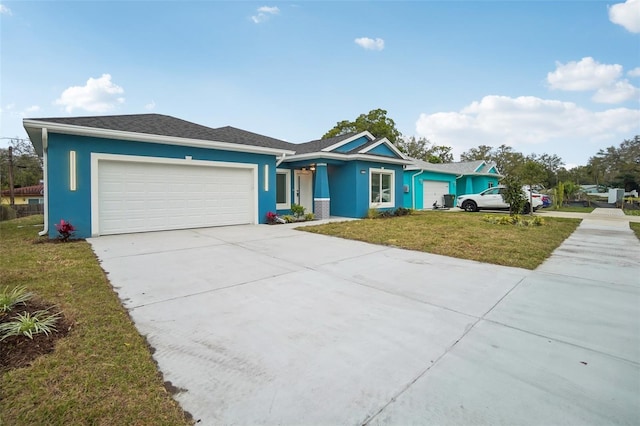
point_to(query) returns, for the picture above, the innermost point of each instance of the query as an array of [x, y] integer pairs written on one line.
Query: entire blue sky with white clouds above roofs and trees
[[556, 77]]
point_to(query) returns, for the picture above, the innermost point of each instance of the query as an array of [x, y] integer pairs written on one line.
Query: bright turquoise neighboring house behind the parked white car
[[427, 183]]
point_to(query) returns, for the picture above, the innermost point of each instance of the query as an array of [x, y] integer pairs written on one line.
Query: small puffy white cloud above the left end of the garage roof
[[98, 95]]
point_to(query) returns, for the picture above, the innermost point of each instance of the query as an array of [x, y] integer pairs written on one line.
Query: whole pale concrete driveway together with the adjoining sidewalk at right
[[269, 325]]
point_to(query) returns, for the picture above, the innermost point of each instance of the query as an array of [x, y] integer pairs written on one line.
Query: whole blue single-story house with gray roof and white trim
[[148, 172]]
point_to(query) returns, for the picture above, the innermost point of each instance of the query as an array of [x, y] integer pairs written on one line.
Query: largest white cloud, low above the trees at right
[[526, 120]]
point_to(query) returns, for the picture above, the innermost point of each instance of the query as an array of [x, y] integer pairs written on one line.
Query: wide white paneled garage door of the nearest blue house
[[138, 197]]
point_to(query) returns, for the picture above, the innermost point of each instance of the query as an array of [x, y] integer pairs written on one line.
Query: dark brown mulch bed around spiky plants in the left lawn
[[21, 351]]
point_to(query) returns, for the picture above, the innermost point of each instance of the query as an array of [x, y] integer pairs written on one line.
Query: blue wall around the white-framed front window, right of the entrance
[[349, 187]]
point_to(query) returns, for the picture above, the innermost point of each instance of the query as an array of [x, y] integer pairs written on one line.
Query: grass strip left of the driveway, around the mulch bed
[[102, 372]]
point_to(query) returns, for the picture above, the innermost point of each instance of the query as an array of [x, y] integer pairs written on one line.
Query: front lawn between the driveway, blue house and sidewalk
[[461, 235]]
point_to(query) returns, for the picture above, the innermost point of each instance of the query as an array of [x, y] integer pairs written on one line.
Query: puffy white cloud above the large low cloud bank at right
[[587, 74]]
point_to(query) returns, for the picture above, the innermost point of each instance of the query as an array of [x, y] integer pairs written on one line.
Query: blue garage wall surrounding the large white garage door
[[75, 206]]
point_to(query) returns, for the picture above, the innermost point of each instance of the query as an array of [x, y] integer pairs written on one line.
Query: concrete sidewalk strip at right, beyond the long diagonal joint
[[562, 348]]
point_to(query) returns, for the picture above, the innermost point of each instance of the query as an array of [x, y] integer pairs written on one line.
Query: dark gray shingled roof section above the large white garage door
[[164, 125]]
